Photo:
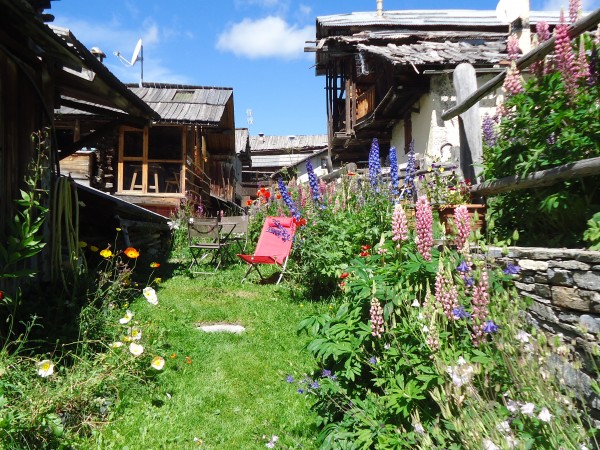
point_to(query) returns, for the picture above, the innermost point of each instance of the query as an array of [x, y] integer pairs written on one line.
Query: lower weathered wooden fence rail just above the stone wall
[[583, 168]]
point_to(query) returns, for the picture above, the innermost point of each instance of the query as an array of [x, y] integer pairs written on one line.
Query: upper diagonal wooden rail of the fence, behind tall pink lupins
[[537, 54]]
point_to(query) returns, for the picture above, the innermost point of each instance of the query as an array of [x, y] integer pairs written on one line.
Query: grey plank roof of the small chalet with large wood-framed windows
[[194, 105]]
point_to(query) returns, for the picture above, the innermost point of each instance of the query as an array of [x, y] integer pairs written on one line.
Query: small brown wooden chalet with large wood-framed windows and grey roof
[[188, 153]]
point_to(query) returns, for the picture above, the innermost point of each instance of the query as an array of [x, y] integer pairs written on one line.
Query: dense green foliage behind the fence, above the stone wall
[[545, 127]]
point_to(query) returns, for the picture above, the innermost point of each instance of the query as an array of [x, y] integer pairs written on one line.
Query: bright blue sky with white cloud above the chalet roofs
[[252, 46]]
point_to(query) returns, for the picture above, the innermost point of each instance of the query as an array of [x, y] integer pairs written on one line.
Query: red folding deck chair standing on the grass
[[274, 245]]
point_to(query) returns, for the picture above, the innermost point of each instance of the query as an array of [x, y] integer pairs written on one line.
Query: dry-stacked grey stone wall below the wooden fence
[[564, 286]]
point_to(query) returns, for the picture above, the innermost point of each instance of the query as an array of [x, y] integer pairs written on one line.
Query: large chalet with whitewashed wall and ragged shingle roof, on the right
[[388, 74]]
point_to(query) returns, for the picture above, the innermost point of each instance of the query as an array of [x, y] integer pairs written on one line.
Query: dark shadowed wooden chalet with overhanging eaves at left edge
[[41, 70]]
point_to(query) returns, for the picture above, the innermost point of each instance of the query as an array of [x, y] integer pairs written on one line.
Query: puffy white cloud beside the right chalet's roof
[[264, 38]]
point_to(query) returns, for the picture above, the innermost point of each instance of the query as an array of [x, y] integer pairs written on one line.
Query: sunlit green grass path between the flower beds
[[225, 390]]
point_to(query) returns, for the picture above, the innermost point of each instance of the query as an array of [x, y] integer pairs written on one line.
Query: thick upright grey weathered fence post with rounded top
[[471, 151]]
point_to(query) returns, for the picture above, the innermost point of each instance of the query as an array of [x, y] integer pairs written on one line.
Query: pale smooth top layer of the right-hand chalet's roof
[[463, 18]]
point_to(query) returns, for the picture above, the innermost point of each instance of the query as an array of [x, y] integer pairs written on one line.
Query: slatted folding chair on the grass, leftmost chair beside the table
[[204, 240]]
